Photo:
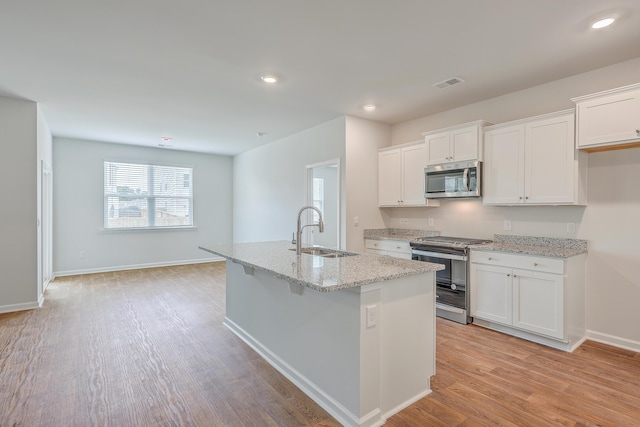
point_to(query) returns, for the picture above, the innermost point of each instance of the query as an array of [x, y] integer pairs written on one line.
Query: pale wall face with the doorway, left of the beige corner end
[[269, 184]]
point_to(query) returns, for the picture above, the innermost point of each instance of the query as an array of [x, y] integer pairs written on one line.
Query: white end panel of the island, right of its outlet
[[407, 341]]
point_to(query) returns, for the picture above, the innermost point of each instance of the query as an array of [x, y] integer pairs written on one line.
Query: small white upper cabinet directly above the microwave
[[455, 144]]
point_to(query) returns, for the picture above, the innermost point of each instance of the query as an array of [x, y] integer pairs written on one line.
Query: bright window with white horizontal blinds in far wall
[[147, 196]]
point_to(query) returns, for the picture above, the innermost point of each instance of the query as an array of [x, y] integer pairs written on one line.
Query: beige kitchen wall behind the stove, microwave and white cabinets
[[609, 222]]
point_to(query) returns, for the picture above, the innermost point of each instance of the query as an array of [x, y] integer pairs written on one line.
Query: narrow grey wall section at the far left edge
[[18, 214]]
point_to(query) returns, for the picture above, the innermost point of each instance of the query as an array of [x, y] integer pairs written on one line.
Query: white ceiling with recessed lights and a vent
[[134, 71]]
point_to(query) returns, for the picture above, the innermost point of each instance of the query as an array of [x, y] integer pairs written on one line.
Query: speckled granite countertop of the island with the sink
[[320, 274]]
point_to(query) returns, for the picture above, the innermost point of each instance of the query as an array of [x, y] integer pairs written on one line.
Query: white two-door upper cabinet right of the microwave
[[534, 162]]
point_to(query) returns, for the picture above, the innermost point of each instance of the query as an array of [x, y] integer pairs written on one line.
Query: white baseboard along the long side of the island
[[328, 403]]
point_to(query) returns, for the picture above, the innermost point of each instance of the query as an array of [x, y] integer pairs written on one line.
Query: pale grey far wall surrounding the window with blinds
[[78, 209]]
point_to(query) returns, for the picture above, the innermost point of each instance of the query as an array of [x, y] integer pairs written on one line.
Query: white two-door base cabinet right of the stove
[[535, 298]]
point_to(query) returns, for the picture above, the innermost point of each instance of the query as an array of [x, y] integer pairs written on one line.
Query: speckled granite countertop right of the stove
[[538, 246]]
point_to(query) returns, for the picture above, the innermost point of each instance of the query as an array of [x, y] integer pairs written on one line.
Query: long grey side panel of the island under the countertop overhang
[[313, 338]]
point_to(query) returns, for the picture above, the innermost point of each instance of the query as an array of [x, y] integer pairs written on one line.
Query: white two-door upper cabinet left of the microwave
[[401, 176]]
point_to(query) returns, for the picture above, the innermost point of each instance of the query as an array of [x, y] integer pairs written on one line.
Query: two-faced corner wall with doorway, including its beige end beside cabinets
[[270, 181]]
